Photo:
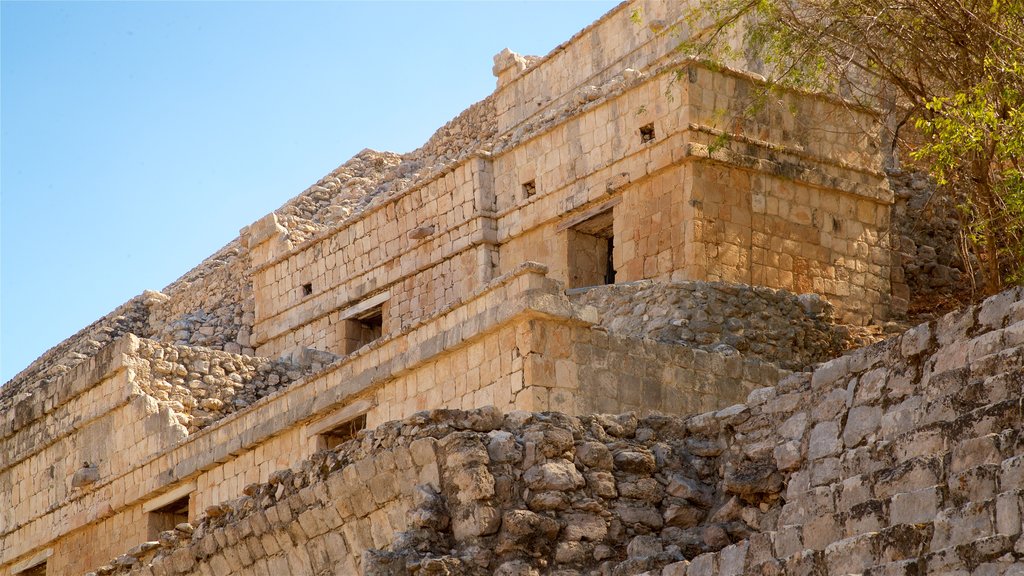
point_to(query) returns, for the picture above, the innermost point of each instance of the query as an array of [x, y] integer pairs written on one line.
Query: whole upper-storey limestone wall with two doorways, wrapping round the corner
[[777, 203]]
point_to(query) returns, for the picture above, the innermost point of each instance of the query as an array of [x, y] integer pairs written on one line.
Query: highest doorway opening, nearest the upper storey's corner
[[591, 251]]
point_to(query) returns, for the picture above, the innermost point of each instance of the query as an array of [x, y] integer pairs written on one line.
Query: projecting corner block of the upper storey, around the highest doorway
[[767, 202]]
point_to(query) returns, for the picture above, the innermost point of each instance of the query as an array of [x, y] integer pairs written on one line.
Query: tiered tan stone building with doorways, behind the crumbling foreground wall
[[607, 232]]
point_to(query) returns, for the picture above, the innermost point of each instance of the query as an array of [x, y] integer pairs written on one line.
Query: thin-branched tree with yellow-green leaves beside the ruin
[[953, 70]]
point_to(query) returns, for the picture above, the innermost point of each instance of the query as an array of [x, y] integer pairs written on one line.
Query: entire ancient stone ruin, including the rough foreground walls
[[409, 367]]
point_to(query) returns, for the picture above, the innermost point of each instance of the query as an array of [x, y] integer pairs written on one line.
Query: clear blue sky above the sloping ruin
[[139, 138]]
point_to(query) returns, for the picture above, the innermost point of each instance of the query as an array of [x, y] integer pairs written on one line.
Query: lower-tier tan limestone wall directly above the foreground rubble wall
[[217, 422]]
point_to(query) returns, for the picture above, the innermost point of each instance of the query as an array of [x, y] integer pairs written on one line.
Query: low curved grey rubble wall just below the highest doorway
[[773, 325]]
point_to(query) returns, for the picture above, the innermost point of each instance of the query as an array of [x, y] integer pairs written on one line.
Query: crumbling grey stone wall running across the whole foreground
[[906, 458]]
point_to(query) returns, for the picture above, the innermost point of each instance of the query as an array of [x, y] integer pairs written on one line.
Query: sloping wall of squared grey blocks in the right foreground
[[911, 459]]
